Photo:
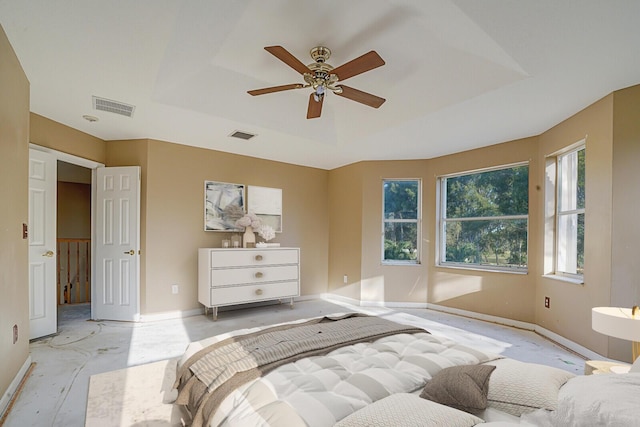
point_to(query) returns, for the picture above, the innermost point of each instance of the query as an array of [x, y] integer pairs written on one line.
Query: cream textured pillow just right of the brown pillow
[[517, 387]]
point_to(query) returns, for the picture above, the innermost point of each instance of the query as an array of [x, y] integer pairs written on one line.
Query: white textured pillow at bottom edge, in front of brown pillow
[[408, 410]]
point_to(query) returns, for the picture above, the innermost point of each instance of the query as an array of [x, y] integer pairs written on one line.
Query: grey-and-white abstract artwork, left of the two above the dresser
[[224, 203]]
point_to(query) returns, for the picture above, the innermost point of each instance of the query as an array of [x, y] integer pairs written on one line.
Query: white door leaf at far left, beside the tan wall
[[43, 316]]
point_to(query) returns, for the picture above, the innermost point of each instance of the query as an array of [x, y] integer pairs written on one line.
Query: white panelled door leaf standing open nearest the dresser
[[116, 293]]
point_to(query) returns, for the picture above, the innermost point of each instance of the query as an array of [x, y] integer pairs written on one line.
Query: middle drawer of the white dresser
[[234, 276]]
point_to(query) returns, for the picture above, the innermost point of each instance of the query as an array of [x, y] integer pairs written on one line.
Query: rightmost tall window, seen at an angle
[[570, 213]]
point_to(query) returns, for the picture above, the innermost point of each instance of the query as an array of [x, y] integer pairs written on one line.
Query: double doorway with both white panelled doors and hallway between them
[[112, 254]]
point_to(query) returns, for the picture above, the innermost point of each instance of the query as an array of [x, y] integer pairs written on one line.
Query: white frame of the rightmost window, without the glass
[[558, 214]]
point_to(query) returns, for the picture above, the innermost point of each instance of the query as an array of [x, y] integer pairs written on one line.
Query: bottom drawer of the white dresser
[[249, 293]]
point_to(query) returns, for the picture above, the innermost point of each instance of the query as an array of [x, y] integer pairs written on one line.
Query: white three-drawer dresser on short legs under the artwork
[[238, 276]]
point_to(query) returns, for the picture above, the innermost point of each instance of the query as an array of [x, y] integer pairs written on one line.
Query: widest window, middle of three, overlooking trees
[[484, 219]]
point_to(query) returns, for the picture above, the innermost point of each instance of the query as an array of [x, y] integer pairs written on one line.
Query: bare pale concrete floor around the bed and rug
[[56, 392]]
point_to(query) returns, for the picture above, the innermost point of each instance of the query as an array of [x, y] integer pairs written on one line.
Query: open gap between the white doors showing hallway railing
[[73, 242]]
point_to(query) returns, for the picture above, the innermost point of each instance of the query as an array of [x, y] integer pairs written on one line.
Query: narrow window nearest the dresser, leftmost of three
[[401, 220]]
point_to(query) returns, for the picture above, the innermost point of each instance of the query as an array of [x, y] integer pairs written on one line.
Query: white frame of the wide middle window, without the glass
[[441, 247]]
